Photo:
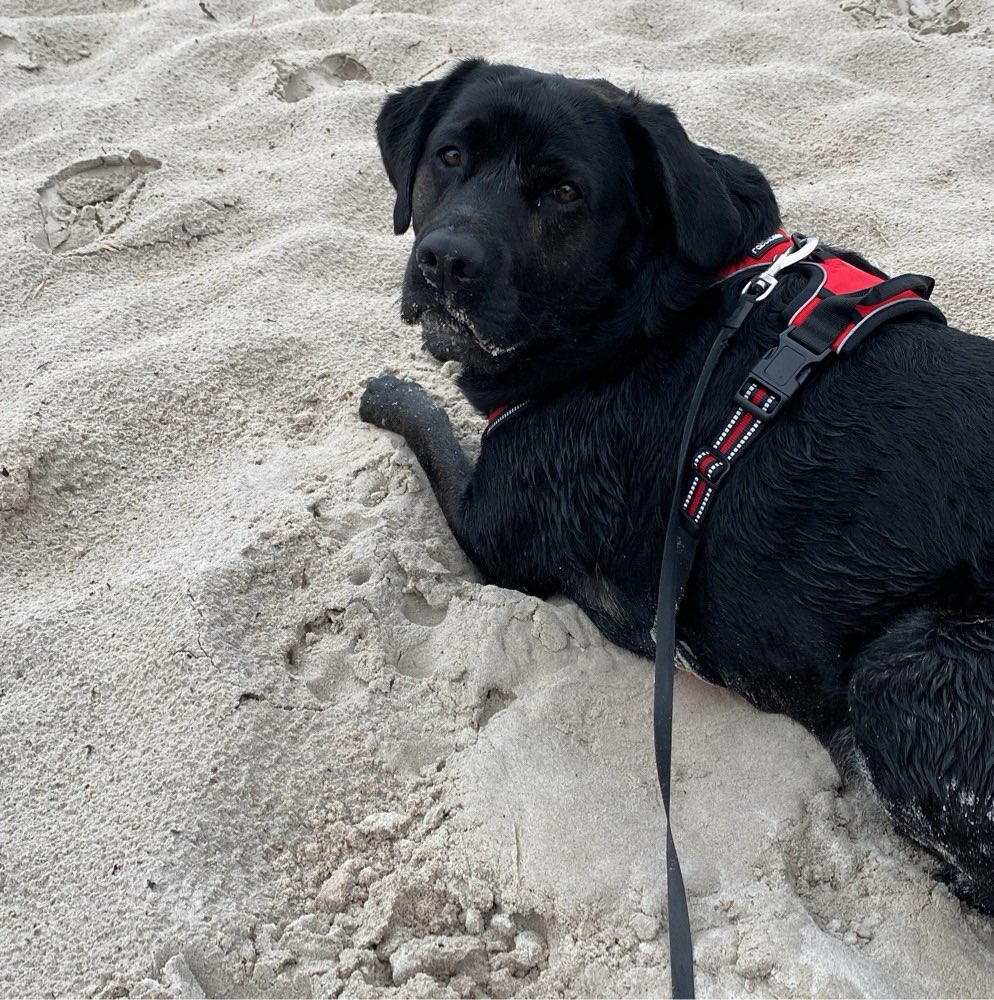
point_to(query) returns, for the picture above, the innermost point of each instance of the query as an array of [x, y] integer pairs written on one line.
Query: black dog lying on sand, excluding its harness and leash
[[569, 242]]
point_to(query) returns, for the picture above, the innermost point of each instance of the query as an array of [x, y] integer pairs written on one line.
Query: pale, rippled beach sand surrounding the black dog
[[262, 730]]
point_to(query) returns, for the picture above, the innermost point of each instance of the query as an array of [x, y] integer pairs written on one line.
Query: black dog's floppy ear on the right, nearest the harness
[[672, 176]]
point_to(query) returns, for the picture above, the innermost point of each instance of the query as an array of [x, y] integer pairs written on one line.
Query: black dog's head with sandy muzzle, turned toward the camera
[[551, 213]]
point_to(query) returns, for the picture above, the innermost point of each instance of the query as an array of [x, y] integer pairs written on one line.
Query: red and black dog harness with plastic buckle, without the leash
[[840, 305]]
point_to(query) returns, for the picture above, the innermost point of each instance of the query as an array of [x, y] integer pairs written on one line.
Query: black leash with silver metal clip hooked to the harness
[[678, 560]]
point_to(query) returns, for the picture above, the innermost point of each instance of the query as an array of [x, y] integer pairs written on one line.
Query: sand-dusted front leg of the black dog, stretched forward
[[405, 408]]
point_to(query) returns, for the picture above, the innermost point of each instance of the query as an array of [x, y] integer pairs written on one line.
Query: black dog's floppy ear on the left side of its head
[[402, 128]]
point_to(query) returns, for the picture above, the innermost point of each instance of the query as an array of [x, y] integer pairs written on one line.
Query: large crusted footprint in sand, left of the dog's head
[[89, 200]]
